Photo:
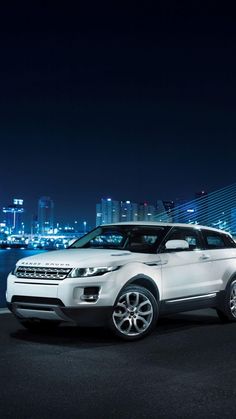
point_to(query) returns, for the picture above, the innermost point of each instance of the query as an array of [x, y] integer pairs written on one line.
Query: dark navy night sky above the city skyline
[[131, 102]]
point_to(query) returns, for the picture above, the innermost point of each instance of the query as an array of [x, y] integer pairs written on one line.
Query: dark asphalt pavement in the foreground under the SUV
[[186, 368]]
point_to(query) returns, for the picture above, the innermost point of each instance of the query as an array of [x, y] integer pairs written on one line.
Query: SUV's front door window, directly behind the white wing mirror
[[191, 235]]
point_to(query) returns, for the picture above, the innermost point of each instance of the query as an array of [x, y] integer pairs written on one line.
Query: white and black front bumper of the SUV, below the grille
[[63, 300]]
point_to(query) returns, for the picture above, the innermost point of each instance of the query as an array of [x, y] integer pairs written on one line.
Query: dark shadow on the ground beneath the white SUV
[[72, 336]]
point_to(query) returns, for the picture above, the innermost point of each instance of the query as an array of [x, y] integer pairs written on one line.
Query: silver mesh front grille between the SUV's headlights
[[42, 273]]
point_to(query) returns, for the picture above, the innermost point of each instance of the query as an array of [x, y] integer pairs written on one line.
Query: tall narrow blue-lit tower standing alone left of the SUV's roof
[[45, 215]]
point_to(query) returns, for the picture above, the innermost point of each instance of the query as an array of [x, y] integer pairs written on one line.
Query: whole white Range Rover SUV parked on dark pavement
[[125, 275]]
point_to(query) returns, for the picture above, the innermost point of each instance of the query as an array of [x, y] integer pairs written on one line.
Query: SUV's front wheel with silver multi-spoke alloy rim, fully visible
[[135, 313]]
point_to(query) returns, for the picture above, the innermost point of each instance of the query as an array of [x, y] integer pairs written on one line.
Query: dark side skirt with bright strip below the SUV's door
[[193, 302]]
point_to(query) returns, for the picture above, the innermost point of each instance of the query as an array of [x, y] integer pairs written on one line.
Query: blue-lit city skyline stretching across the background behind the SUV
[[194, 210]]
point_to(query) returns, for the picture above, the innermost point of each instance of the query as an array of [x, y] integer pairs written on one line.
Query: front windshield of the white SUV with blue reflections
[[141, 239]]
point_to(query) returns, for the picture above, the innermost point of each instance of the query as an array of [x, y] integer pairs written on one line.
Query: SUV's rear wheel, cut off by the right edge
[[227, 313]]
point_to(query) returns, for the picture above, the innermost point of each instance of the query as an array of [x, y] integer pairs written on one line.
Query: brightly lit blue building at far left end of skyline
[[14, 217]]
